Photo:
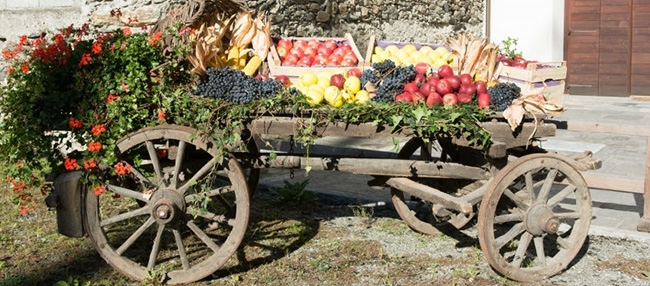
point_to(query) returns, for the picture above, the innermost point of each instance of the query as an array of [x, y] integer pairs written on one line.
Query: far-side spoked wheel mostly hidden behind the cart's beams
[[417, 213]]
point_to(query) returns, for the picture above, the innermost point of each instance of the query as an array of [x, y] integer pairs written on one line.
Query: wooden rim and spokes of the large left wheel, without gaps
[[194, 260]]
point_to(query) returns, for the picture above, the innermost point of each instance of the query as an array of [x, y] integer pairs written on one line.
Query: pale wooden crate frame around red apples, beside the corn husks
[[293, 71]]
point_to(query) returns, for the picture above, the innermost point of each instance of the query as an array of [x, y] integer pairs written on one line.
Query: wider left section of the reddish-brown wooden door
[[598, 46]]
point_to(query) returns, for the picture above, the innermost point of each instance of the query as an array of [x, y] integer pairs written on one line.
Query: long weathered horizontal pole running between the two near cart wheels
[[372, 166]]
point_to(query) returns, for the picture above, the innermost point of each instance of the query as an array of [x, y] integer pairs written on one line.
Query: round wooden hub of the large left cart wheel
[[167, 205]]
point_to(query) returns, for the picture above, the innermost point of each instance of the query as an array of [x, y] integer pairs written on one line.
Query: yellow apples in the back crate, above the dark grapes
[[410, 55]]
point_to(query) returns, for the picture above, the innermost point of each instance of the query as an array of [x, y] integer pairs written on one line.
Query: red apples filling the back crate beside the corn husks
[[308, 53]]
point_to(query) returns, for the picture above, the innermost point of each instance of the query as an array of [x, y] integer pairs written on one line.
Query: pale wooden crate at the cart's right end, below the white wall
[[535, 72]]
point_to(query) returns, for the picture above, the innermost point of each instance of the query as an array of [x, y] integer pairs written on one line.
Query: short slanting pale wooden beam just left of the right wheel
[[430, 194]]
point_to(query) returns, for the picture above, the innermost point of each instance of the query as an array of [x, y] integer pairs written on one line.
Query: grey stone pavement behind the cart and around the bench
[[616, 214]]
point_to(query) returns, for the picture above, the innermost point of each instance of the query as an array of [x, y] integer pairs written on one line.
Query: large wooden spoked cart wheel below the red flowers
[[181, 216]]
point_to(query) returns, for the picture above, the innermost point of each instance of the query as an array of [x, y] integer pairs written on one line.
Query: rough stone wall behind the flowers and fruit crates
[[429, 21]]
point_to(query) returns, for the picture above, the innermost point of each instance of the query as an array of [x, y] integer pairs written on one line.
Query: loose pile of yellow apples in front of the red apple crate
[[334, 89]]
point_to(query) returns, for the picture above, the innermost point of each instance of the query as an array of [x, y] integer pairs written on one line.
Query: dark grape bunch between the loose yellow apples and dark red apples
[[393, 80]]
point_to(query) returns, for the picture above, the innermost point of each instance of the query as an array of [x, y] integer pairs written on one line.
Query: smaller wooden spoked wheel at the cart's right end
[[534, 217]]
